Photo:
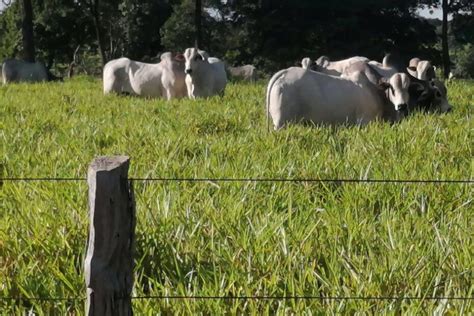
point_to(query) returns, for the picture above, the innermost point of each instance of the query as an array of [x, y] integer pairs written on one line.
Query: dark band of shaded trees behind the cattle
[[268, 33]]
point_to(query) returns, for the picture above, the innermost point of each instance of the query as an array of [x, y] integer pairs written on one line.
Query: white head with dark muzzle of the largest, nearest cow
[[397, 91]]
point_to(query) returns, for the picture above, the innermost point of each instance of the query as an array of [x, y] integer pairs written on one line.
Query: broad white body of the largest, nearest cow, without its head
[[302, 95]]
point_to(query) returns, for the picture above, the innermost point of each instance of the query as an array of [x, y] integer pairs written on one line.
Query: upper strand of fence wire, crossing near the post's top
[[309, 180]]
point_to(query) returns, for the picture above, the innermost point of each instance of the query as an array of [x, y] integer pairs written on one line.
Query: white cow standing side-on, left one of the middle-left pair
[[164, 79]]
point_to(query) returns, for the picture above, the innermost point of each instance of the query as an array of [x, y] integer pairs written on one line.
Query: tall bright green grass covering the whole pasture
[[239, 239]]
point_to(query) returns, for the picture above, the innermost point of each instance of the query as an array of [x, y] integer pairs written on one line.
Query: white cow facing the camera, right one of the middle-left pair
[[205, 76]]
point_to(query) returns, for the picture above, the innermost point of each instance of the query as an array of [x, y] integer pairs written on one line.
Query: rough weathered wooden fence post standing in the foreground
[[108, 265]]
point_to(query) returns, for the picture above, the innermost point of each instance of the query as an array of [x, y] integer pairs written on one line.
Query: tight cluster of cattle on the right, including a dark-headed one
[[353, 91]]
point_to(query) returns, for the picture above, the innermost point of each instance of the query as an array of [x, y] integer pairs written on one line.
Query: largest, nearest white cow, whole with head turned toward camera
[[297, 95]]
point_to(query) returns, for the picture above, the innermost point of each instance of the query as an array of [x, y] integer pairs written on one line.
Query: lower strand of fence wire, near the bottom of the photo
[[257, 297]]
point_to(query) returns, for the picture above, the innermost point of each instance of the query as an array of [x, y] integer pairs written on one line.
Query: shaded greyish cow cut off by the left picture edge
[[14, 70]]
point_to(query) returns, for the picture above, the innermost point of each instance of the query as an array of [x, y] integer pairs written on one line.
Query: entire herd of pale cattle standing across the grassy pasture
[[351, 91]]
